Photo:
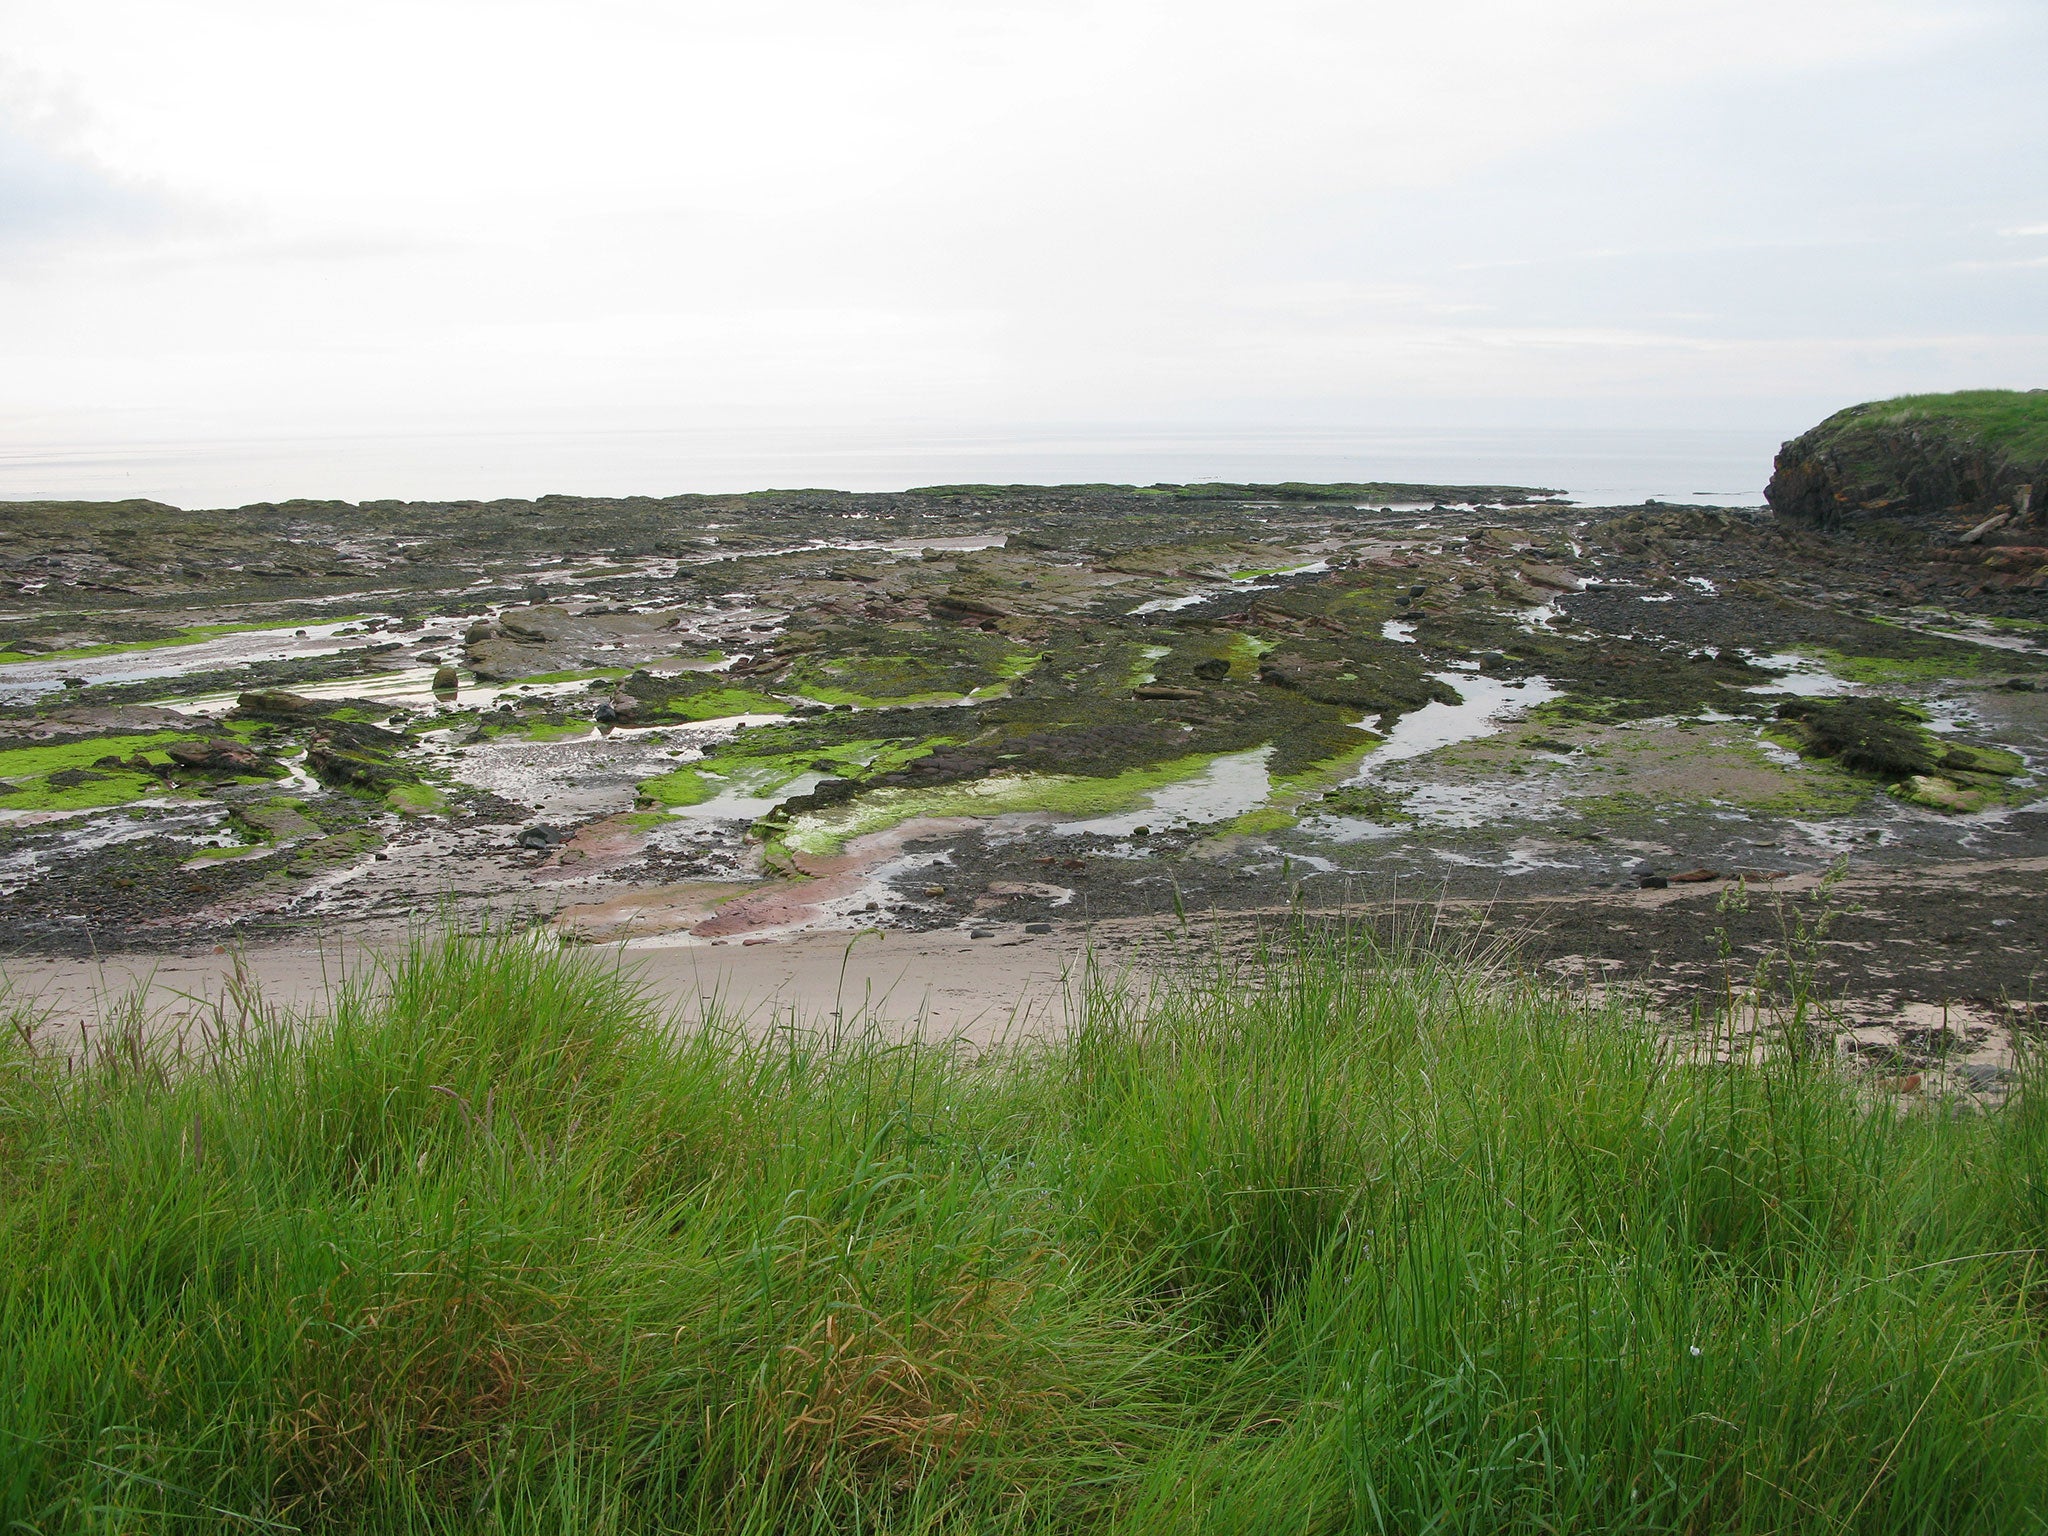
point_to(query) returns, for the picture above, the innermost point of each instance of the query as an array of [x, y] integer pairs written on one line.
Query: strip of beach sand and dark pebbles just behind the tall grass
[[1887, 951]]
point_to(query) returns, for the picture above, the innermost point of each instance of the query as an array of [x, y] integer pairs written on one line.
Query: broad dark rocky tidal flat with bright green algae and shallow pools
[[699, 720]]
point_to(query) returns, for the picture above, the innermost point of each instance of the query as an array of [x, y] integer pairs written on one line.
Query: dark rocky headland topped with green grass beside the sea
[[1967, 454]]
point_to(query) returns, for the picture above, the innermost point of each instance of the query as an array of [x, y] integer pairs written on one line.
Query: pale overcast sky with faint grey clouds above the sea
[[347, 249]]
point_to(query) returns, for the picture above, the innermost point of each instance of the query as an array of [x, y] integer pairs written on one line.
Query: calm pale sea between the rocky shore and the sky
[[1596, 468]]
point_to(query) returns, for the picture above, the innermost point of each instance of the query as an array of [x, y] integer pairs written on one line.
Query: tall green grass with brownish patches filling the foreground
[[1342, 1242]]
